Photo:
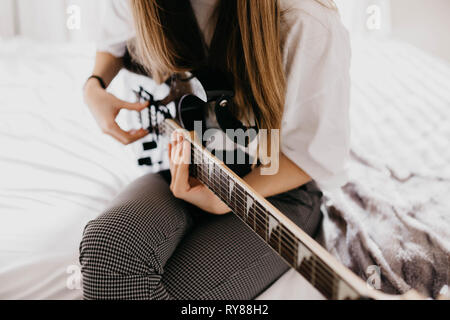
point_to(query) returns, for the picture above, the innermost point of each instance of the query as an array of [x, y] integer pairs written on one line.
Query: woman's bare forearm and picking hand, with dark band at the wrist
[[104, 106]]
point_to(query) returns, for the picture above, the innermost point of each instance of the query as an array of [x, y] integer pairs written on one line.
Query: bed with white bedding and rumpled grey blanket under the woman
[[57, 172]]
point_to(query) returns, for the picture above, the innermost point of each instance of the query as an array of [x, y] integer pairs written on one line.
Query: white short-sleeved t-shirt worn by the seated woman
[[315, 132]]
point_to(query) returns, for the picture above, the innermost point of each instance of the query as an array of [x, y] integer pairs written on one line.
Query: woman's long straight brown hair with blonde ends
[[246, 44]]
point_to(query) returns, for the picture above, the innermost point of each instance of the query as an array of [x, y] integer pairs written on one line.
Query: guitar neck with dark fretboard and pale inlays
[[300, 251]]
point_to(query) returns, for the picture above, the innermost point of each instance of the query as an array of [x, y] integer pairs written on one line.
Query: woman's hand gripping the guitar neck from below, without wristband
[[185, 187]]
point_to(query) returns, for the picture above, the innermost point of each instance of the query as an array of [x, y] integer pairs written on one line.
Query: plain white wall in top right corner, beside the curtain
[[424, 23]]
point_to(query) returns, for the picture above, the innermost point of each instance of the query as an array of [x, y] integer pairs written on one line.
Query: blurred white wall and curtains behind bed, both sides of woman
[[424, 23]]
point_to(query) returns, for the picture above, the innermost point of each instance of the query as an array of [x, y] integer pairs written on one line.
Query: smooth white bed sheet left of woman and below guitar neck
[[57, 172]]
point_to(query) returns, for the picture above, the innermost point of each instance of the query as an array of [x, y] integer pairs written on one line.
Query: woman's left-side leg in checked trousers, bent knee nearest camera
[[123, 252]]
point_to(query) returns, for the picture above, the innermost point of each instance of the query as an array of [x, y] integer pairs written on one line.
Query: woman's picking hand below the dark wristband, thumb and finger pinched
[[105, 107]]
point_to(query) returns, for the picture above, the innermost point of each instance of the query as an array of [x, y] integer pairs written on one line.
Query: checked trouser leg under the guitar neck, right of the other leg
[[221, 258]]
